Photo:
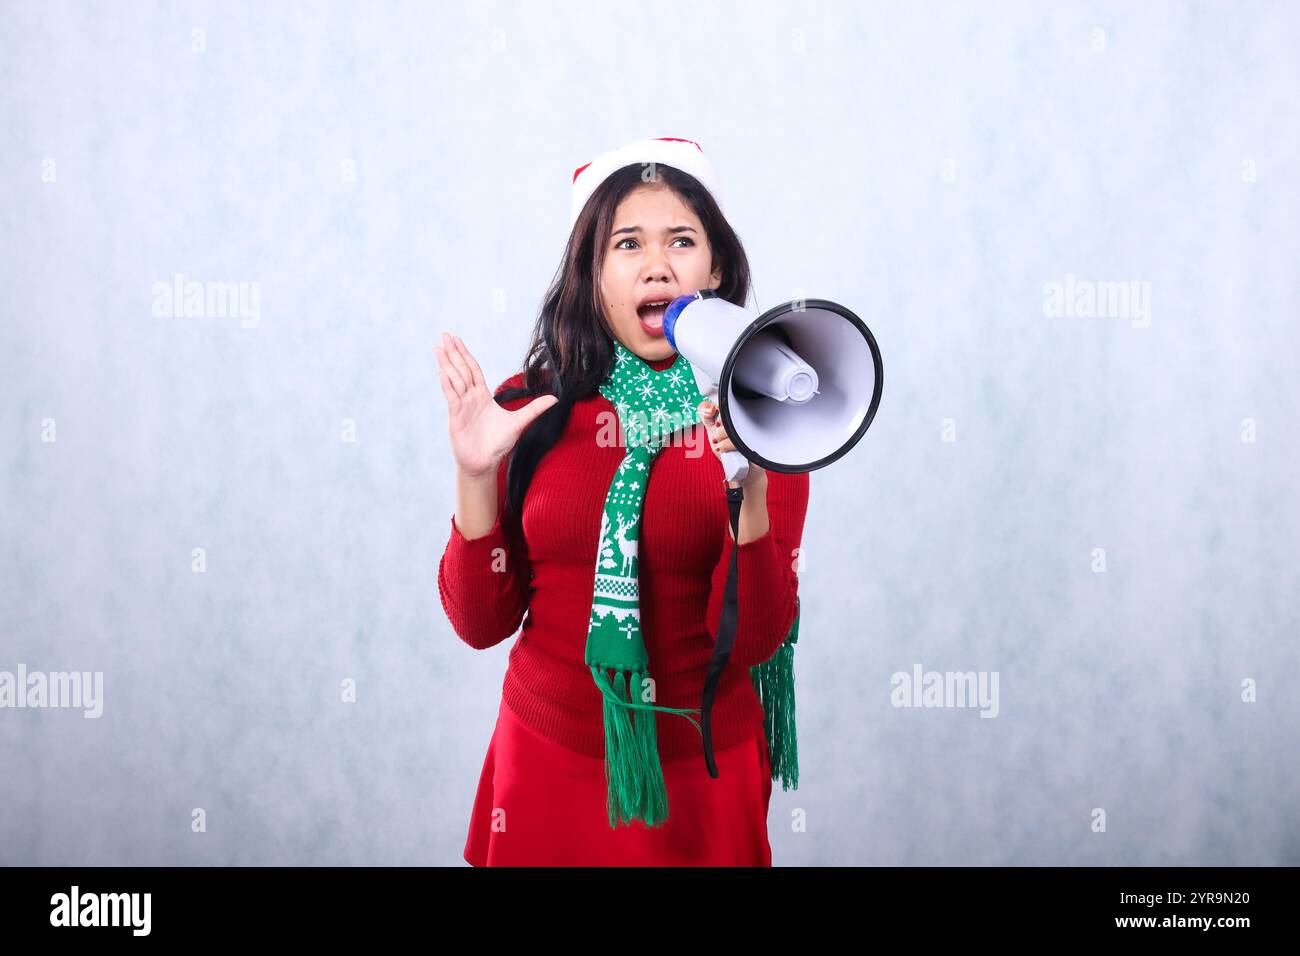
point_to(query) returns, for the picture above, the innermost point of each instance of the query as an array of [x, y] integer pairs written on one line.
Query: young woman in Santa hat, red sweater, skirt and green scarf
[[544, 500]]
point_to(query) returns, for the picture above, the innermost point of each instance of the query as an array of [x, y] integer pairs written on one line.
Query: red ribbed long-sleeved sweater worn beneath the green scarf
[[547, 566]]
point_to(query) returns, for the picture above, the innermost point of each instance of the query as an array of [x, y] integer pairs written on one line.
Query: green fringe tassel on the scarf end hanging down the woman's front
[[632, 772]]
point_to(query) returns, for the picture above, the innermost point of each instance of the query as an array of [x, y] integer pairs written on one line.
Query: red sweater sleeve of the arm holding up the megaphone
[[766, 585]]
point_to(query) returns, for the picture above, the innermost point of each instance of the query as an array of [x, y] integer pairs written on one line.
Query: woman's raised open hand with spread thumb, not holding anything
[[482, 431]]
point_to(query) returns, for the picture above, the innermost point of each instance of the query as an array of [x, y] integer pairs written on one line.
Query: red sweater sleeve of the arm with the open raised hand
[[484, 582]]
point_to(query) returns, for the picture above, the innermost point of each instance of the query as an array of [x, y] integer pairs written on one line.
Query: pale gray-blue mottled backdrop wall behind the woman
[[389, 172]]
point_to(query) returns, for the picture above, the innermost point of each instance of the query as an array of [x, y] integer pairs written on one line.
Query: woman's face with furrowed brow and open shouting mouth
[[657, 252]]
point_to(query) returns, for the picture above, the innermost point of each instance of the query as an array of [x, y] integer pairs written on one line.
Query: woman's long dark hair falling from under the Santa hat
[[573, 348]]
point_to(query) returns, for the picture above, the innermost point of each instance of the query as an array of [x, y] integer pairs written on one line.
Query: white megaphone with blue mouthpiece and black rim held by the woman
[[798, 387]]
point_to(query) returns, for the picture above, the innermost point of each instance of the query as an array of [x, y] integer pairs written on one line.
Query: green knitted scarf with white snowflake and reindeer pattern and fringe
[[652, 406]]
